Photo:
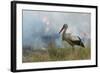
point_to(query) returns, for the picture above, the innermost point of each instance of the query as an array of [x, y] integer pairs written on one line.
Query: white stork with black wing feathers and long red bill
[[72, 40]]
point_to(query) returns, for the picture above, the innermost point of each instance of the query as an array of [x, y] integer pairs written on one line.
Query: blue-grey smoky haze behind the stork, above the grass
[[40, 26]]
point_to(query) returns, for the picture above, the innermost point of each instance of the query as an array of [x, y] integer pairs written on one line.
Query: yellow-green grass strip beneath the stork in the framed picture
[[57, 54]]
